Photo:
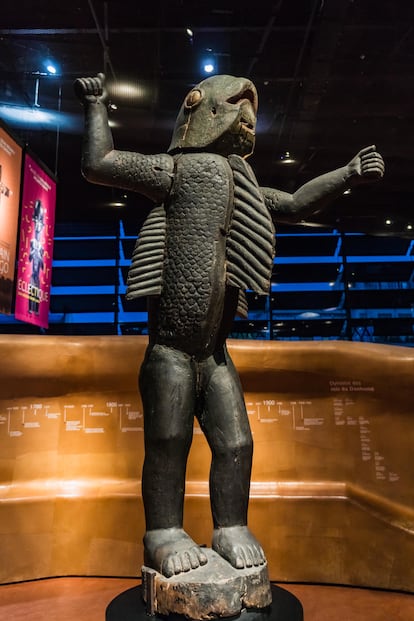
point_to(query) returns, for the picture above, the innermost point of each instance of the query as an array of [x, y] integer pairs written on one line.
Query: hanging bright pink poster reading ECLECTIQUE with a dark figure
[[37, 222]]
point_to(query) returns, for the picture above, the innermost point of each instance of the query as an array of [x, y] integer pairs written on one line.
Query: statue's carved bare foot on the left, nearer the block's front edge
[[171, 551]]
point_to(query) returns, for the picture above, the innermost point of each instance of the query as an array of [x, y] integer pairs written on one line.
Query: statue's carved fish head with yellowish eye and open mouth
[[218, 115]]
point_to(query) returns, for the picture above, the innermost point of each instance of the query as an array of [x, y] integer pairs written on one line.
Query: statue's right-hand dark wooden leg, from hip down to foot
[[225, 422]]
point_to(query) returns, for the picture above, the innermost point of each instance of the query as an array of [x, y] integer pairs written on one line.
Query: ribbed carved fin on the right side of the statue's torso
[[251, 239]]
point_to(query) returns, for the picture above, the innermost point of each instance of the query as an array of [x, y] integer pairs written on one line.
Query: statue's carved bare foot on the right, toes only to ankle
[[238, 546]]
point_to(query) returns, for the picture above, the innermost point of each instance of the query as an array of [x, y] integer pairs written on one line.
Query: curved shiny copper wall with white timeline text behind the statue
[[332, 495]]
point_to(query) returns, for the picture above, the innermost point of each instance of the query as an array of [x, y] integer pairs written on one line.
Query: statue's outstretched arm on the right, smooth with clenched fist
[[367, 166]]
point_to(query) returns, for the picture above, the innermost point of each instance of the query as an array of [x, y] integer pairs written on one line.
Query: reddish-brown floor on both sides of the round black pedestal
[[86, 599]]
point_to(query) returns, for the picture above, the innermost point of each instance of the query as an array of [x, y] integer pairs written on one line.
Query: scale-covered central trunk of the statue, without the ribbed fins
[[192, 297]]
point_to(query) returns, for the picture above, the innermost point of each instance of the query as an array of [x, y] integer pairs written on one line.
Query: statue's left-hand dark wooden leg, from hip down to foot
[[168, 390]]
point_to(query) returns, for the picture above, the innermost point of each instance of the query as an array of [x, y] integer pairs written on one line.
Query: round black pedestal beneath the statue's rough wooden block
[[129, 606]]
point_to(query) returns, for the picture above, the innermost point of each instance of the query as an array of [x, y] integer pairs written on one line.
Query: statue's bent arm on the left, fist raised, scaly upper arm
[[150, 175]]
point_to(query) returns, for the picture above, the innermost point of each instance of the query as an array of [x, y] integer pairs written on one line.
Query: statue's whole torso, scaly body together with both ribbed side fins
[[210, 240]]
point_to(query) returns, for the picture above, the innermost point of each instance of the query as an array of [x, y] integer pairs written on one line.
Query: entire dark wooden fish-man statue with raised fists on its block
[[209, 238]]
